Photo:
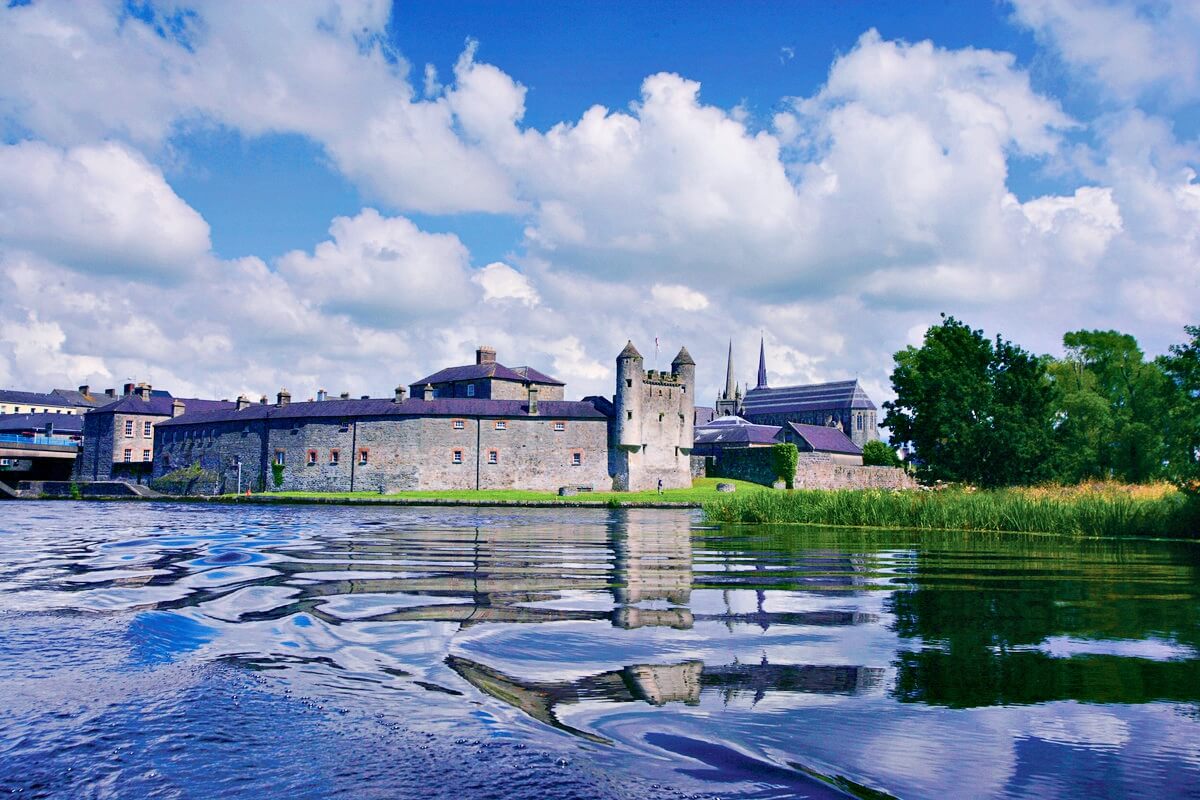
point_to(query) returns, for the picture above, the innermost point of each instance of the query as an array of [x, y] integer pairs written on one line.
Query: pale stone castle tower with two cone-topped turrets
[[652, 429]]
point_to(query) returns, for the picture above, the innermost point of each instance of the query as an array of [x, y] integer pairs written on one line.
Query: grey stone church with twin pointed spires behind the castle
[[842, 405]]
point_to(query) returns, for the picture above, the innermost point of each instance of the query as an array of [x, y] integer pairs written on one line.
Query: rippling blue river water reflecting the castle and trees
[[219, 652]]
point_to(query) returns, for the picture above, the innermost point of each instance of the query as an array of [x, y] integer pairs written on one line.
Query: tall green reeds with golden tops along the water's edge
[[1083, 512]]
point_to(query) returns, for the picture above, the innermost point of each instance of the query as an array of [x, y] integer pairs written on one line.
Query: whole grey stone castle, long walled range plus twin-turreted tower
[[481, 426]]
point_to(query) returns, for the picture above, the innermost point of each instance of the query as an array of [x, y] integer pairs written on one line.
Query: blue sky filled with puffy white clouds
[[349, 196]]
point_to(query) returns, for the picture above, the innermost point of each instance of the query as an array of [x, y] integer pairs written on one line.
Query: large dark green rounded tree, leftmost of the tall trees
[[971, 410]]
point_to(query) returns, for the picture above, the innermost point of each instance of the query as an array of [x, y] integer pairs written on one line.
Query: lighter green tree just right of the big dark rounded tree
[[1112, 410]]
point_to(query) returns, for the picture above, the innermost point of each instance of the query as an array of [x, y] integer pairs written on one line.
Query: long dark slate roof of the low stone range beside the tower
[[465, 407]]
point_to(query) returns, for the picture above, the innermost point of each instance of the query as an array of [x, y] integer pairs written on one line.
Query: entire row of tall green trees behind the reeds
[[987, 412]]
